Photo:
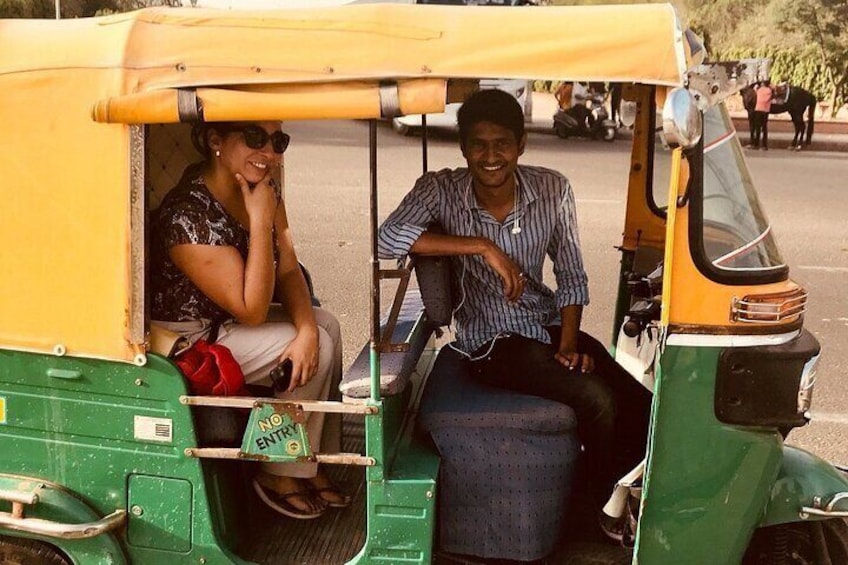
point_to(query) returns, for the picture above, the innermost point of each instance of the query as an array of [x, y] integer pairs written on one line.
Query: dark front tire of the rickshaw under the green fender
[[822, 542]]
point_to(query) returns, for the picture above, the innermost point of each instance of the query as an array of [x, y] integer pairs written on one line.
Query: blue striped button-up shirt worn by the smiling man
[[546, 214]]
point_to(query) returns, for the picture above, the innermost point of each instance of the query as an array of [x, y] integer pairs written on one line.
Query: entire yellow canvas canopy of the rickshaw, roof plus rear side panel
[[71, 226]]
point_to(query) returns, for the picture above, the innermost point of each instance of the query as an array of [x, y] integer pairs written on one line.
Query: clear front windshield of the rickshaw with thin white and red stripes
[[736, 239]]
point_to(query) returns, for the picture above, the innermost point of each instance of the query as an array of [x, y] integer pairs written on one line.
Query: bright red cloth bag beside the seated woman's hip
[[211, 369]]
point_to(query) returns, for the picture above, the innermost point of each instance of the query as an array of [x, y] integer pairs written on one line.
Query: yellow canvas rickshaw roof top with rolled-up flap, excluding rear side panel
[[159, 49]]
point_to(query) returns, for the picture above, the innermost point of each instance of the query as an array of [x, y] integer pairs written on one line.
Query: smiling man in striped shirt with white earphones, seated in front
[[499, 220]]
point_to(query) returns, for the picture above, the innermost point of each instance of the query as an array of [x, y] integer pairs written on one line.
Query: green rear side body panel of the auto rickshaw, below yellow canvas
[[91, 426]]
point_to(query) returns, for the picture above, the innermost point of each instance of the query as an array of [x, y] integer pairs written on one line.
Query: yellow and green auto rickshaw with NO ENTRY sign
[[102, 455]]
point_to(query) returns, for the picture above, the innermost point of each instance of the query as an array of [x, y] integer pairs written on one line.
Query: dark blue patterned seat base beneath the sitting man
[[507, 464]]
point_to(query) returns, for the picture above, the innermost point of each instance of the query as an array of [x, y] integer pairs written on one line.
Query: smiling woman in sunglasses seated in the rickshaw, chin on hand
[[221, 251]]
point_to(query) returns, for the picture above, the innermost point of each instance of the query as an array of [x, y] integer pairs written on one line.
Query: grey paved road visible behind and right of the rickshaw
[[804, 194]]
